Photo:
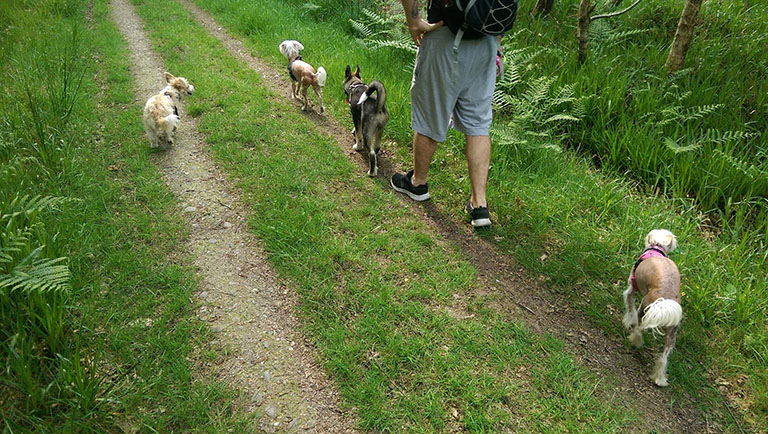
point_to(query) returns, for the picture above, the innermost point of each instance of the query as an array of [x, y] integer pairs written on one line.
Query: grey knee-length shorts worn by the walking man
[[437, 91]]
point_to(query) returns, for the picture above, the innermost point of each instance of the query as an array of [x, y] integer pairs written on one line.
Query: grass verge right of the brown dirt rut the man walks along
[[579, 228]]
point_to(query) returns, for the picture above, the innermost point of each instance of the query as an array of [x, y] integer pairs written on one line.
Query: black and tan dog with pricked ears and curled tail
[[369, 114]]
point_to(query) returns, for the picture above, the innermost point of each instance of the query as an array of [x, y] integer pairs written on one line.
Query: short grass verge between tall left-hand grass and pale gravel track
[[148, 324]]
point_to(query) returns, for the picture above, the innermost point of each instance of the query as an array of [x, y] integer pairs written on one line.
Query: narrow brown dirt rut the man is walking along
[[522, 297]]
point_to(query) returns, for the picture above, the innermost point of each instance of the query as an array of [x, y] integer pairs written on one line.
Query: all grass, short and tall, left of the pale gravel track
[[84, 358]]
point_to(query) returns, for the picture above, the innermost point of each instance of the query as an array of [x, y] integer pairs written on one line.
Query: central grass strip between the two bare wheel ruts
[[377, 286]]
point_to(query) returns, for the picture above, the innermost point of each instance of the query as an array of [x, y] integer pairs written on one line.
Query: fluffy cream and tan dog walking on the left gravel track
[[160, 113]]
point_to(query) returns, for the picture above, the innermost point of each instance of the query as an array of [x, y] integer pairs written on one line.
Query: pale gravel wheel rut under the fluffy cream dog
[[251, 311]]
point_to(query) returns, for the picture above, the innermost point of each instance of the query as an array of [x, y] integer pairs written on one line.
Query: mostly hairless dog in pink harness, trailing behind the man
[[657, 279]]
